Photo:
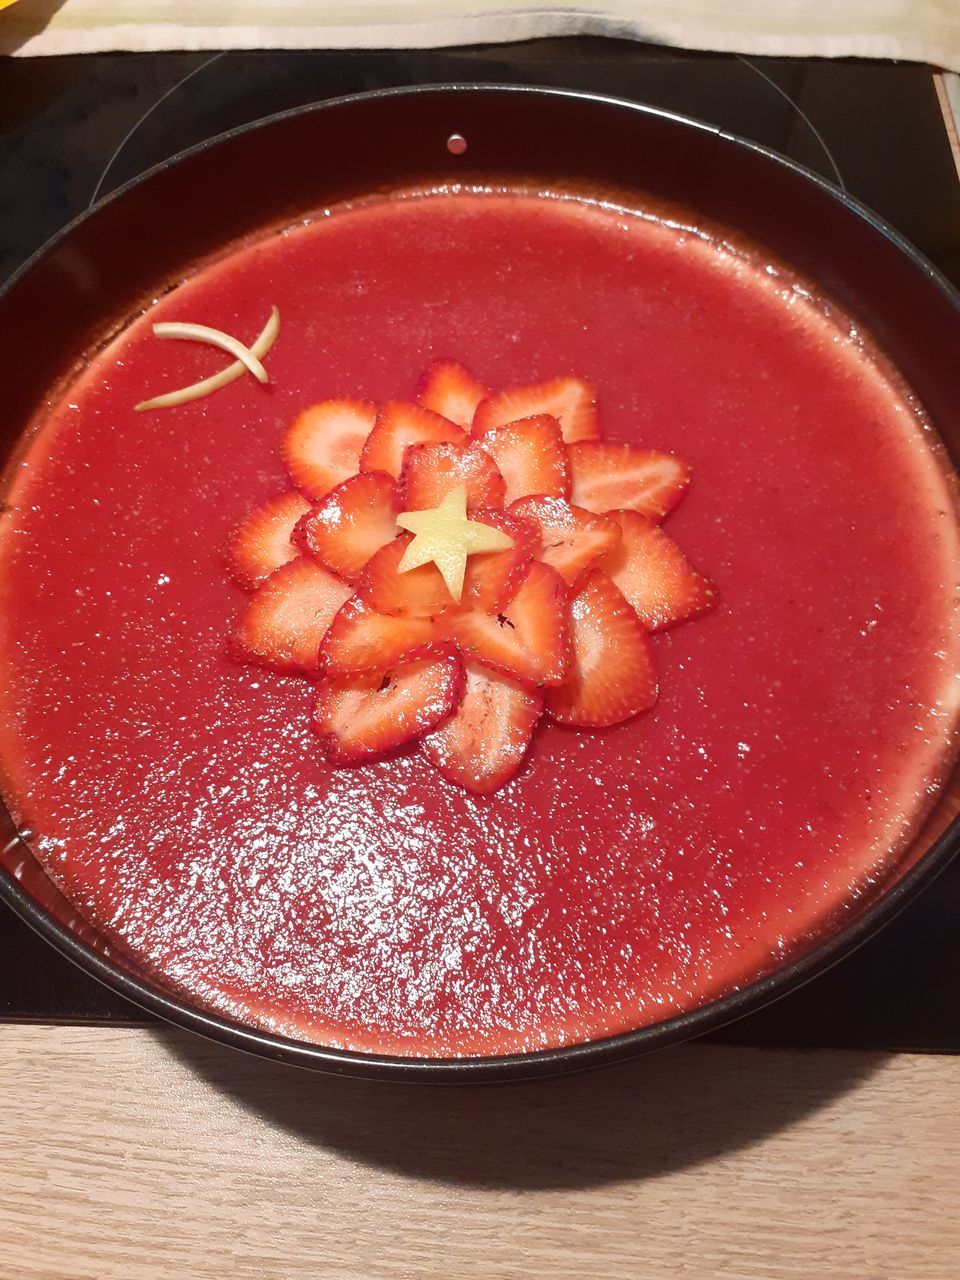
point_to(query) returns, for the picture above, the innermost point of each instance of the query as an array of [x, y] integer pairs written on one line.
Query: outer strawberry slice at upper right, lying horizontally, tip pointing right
[[612, 477]]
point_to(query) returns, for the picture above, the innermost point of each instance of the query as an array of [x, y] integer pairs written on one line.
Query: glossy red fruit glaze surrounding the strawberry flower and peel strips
[[184, 804]]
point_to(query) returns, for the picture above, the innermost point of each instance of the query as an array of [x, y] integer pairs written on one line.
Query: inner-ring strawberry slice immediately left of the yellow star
[[354, 520]]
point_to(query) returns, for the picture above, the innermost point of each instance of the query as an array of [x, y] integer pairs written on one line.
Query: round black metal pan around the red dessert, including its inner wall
[[95, 272]]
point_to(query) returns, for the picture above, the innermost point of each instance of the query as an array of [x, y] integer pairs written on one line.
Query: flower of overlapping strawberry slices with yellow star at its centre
[[455, 569]]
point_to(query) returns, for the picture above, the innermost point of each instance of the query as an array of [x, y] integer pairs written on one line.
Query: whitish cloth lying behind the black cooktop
[[912, 30]]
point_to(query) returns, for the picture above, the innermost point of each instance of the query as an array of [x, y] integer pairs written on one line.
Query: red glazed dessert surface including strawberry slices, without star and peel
[[199, 812]]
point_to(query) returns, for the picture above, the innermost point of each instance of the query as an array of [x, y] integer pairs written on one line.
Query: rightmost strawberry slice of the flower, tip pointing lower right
[[655, 575]]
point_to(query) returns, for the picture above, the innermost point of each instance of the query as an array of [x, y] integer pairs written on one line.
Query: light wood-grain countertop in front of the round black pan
[[145, 1155]]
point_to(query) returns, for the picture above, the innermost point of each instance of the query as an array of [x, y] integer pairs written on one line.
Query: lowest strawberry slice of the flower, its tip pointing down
[[486, 740]]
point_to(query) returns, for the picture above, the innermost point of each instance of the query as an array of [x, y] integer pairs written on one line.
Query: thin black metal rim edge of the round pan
[[541, 1063]]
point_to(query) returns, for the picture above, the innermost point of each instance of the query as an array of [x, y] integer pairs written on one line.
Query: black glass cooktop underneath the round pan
[[74, 129]]
